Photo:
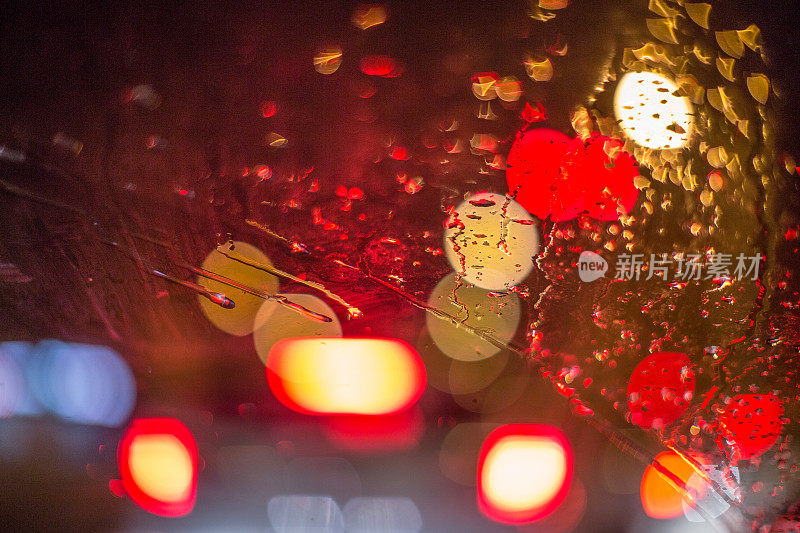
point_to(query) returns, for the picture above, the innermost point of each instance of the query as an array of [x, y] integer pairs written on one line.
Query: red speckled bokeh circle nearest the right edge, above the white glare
[[751, 424]]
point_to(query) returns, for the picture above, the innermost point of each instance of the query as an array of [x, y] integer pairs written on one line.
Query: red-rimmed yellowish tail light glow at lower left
[[157, 460]]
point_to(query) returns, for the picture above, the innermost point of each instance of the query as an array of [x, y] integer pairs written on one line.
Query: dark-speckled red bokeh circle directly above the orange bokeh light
[[660, 388]]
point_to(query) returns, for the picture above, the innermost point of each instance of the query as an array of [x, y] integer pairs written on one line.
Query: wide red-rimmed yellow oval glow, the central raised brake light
[[328, 376]]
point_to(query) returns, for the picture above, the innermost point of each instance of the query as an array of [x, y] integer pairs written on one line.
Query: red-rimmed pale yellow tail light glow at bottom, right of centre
[[524, 473]]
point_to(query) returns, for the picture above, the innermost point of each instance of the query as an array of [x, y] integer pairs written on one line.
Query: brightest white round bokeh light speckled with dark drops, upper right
[[651, 113]]
